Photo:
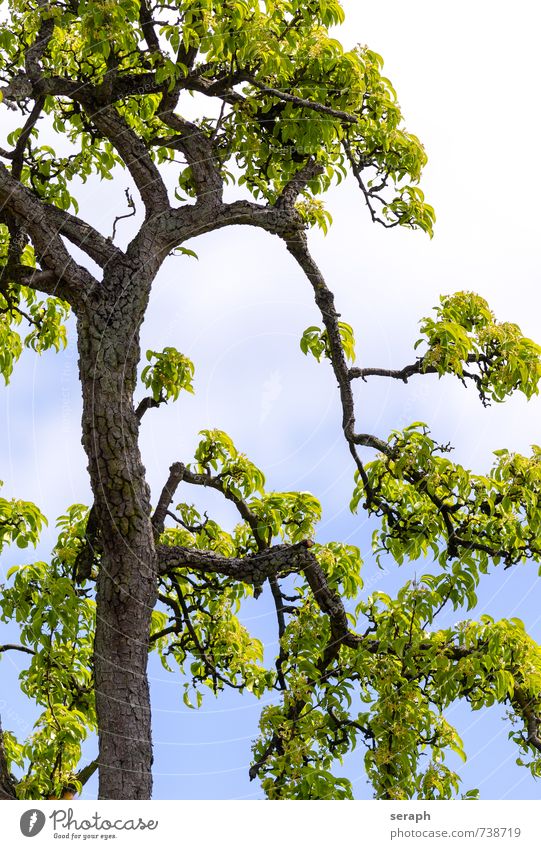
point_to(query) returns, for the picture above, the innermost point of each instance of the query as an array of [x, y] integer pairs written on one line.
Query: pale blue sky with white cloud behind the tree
[[466, 77]]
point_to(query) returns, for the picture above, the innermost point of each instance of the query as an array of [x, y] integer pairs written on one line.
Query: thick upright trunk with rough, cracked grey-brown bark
[[108, 339]]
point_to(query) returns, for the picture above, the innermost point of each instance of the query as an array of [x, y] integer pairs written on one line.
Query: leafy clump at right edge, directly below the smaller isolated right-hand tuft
[[437, 507]]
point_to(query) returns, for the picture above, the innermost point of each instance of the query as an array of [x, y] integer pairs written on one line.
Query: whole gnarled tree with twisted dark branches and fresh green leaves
[[99, 86]]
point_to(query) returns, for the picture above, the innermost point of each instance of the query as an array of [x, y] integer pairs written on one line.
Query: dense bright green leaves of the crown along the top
[[283, 46]]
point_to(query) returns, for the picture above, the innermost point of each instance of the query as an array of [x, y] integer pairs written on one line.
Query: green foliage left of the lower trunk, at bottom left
[[56, 622]]
